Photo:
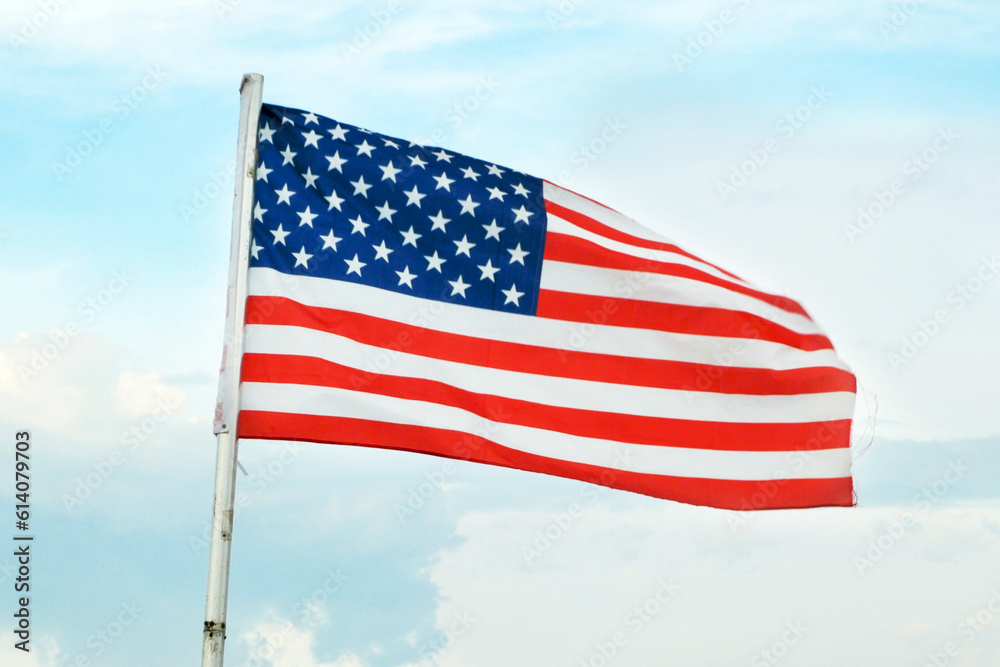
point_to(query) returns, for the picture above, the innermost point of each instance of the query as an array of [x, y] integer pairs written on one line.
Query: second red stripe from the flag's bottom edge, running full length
[[294, 369]]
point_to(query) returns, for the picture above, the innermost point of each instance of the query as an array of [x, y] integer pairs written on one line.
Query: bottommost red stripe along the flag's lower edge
[[726, 494]]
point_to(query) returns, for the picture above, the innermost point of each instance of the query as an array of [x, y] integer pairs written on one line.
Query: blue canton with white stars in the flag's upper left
[[337, 201]]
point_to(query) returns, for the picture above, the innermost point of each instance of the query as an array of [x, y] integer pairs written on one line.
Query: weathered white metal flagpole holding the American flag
[[225, 463]]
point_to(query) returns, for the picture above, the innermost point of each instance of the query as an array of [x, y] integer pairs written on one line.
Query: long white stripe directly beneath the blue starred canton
[[555, 334]]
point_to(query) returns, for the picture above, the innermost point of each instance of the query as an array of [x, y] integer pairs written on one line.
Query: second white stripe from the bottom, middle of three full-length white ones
[[548, 390]]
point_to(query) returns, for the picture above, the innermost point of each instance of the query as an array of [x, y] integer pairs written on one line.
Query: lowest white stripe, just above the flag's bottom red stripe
[[646, 459]]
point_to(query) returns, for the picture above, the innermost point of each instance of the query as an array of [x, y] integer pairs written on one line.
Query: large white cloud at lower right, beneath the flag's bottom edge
[[737, 592]]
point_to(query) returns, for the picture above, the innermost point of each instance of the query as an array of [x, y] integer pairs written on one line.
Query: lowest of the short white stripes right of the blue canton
[[567, 277]]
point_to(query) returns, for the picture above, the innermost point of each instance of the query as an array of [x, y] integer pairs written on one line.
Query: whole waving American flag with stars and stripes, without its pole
[[413, 298]]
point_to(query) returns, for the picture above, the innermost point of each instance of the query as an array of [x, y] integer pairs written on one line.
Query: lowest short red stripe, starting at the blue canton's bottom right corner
[[696, 320]]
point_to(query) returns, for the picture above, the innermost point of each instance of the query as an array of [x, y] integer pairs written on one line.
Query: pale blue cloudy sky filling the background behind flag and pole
[[878, 107]]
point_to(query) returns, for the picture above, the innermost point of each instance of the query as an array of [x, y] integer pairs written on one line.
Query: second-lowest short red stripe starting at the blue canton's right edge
[[574, 250]]
